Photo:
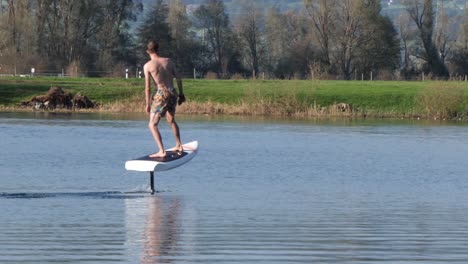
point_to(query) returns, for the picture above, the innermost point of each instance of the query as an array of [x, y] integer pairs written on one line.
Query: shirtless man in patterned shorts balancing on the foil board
[[164, 102]]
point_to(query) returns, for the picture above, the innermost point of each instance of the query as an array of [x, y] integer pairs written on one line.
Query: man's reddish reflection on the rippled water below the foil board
[[161, 229]]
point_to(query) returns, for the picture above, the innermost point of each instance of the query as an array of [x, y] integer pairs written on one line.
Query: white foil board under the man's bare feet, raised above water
[[171, 161]]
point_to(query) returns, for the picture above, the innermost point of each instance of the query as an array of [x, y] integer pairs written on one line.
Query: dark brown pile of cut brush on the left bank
[[56, 98]]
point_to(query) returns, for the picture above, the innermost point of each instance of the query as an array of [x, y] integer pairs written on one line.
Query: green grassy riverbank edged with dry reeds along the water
[[273, 97]]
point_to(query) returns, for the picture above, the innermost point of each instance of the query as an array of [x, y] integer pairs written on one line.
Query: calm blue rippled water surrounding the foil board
[[259, 191]]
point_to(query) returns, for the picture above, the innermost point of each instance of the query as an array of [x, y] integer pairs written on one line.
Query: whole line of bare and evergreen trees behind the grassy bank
[[328, 39]]
